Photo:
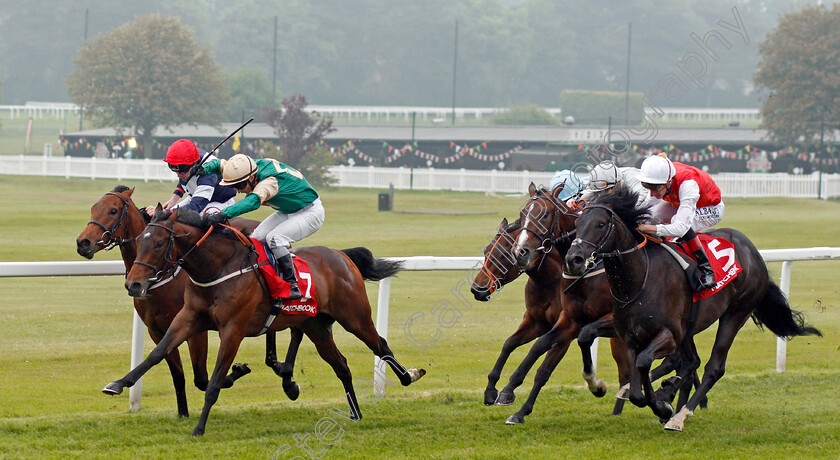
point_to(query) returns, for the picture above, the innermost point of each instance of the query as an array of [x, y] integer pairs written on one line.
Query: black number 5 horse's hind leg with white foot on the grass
[[728, 327]]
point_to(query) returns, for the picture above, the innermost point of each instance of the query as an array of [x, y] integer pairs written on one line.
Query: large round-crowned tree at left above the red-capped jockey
[[145, 74]]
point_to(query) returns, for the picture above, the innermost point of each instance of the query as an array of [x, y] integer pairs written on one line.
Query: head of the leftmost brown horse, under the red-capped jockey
[[109, 222]]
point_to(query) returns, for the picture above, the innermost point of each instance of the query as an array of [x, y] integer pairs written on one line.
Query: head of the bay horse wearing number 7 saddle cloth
[[158, 252]]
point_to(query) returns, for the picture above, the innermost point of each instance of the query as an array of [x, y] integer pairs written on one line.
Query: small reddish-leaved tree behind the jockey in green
[[299, 133]]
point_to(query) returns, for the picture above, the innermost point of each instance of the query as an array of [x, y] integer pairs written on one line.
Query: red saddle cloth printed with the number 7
[[278, 287]]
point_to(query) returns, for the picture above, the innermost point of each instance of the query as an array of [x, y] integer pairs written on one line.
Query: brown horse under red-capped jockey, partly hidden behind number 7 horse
[[116, 221]]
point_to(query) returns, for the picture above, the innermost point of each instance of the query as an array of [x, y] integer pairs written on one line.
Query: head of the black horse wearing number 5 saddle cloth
[[605, 228]]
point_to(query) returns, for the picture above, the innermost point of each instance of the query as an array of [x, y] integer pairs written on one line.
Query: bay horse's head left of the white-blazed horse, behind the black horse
[[499, 264]]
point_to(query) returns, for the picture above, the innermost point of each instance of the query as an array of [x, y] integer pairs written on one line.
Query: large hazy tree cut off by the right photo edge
[[800, 71]]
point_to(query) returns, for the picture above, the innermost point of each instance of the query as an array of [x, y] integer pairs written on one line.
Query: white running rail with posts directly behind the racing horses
[[416, 263]]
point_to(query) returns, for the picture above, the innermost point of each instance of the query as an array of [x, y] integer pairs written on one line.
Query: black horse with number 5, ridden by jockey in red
[[653, 312]]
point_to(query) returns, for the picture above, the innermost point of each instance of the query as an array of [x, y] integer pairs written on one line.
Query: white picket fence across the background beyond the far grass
[[734, 185]]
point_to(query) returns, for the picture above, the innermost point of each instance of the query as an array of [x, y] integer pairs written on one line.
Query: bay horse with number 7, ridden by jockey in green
[[235, 302]]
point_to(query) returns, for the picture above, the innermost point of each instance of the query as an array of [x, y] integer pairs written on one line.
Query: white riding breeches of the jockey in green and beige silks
[[281, 230]]
